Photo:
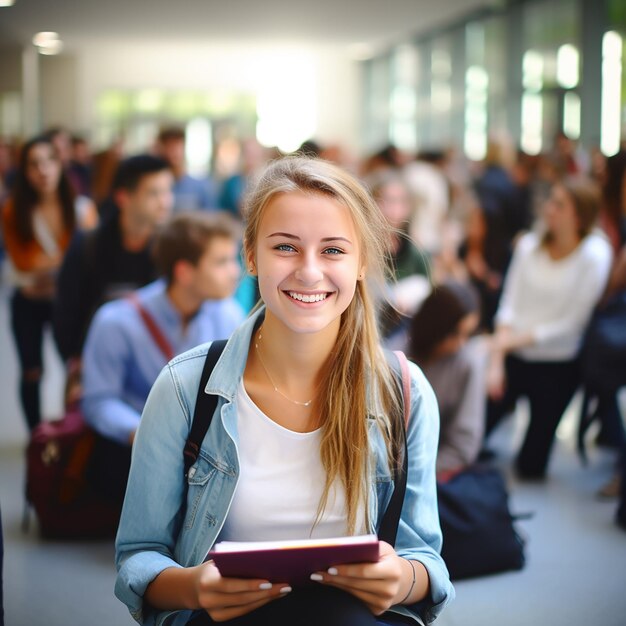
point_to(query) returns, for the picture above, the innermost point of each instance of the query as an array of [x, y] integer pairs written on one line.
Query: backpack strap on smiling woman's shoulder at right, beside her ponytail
[[391, 519]]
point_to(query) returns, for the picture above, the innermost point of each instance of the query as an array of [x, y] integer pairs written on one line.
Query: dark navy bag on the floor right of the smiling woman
[[479, 536]]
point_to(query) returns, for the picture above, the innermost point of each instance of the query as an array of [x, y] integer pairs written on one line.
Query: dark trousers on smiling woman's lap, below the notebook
[[310, 606]]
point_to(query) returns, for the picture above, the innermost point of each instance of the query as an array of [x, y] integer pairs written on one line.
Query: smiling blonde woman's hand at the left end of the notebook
[[227, 598]]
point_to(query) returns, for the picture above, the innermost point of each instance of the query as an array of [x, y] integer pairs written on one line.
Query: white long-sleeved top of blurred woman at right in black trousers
[[553, 299]]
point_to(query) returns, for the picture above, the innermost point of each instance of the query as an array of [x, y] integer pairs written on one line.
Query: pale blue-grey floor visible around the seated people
[[576, 557]]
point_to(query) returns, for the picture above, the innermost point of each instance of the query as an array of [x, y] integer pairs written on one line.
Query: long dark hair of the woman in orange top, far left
[[25, 196]]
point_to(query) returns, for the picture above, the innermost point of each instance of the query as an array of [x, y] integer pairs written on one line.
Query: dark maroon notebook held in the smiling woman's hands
[[291, 561]]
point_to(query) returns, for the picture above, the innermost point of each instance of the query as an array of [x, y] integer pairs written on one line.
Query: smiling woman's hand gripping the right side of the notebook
[[378, 585]]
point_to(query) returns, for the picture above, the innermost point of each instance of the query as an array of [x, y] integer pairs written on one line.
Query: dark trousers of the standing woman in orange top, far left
[[29, 318]]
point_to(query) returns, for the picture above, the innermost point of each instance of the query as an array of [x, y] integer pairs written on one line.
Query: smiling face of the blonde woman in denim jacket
[[308, 261]]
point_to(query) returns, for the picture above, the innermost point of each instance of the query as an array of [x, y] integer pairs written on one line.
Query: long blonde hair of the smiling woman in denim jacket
[[357, 383]]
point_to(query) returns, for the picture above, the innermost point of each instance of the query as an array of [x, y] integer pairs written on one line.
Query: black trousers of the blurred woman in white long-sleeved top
[[549, 387]]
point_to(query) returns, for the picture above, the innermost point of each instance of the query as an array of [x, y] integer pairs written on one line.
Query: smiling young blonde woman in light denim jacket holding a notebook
[[305, 438]]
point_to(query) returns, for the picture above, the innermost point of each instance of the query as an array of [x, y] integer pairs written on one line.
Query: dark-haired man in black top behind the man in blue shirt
[[115, 258]]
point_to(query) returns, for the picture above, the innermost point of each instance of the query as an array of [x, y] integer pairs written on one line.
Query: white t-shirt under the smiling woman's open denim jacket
[[281, 480]]
